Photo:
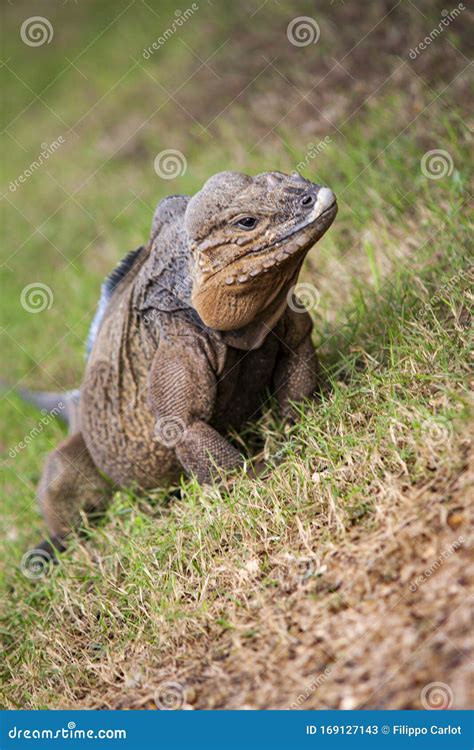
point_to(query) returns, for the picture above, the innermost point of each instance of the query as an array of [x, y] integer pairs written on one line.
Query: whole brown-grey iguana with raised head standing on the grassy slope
[[191, 330]]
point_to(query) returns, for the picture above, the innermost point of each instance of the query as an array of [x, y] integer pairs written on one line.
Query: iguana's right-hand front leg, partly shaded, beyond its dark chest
[[297, 372]]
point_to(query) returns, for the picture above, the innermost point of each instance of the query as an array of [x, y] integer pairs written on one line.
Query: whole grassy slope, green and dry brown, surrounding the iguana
[[340, 580]]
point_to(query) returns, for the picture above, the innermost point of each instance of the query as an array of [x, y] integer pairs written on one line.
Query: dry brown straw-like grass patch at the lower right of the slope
[[329, 622]]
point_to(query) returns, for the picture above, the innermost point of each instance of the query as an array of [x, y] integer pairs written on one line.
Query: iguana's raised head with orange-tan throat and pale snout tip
[[248, 237]]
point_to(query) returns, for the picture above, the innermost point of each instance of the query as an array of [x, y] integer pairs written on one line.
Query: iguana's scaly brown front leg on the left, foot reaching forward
[[182, 393]]
